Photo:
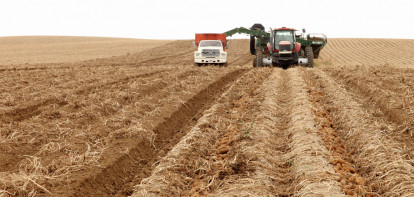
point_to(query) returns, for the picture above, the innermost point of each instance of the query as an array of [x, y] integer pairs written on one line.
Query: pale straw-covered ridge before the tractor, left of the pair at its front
[[265, 144]]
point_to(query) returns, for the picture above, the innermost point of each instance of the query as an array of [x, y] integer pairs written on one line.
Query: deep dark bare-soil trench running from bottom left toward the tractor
[[119, 177]]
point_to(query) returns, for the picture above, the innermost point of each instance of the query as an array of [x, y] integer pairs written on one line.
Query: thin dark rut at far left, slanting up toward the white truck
[[20, 114]]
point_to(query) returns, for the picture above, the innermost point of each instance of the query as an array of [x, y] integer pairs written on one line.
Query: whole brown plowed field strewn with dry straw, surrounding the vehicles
[[149, 123]]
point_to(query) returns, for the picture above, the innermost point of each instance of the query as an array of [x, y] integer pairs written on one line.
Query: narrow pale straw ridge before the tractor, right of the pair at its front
[[310, 159]]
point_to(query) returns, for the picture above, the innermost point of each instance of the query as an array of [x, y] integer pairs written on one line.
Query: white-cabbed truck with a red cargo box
[[210, 48]]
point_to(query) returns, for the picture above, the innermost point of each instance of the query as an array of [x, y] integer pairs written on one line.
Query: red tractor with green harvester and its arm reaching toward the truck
[[282, 46]]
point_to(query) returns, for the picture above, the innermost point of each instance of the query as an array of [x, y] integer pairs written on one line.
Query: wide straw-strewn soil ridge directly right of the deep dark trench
[[213, 142]]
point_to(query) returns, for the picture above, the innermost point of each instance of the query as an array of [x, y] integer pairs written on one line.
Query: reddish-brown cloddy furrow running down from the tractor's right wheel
[[352, 182]]
